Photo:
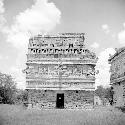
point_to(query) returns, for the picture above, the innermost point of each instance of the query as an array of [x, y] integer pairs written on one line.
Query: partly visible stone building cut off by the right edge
[[117, 78]]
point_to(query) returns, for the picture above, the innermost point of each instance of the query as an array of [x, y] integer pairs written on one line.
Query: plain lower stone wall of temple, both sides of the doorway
[[73, 99]]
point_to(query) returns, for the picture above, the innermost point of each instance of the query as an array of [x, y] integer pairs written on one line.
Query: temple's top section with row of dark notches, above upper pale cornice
[[59, 47]]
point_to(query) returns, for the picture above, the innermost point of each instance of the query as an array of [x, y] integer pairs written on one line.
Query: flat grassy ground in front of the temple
[[16, 115]]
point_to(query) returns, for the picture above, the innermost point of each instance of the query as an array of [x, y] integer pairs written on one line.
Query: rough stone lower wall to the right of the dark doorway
[[78, 99]]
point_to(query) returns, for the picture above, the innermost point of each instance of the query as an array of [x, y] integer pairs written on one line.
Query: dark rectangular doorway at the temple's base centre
[[60, 100]]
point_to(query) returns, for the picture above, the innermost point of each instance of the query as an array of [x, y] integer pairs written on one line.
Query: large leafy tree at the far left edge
[[7, 88]]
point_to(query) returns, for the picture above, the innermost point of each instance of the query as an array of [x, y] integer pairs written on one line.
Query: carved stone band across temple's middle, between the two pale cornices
[[48, 71]]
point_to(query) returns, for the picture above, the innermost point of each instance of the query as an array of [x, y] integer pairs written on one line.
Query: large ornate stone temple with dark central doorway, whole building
[[60, 71]]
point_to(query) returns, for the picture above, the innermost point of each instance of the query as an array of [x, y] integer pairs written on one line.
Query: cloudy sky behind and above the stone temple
[[102, 21]]
